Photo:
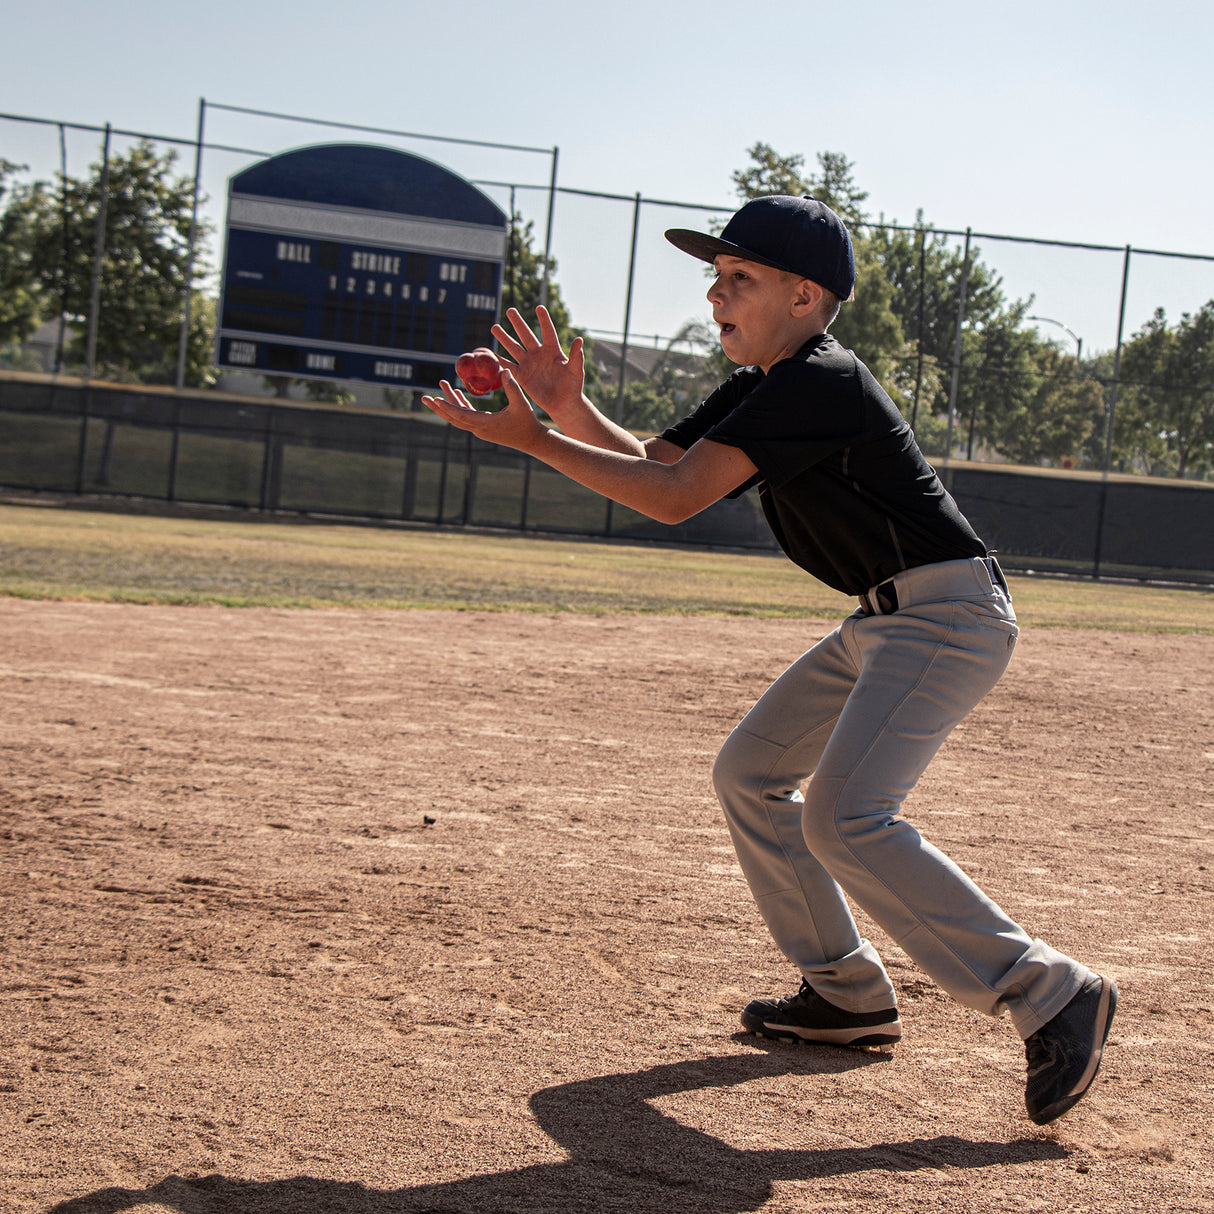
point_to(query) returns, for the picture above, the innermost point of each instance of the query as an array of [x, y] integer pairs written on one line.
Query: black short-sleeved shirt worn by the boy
[[842, 481]]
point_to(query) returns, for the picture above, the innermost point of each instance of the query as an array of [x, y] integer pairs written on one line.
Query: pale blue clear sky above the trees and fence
[[1068, 122]]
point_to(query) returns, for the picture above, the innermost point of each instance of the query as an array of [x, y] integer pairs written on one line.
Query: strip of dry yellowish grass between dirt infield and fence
[[63, 554]]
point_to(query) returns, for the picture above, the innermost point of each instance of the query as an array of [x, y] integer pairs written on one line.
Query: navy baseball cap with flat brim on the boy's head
[[799, 235]]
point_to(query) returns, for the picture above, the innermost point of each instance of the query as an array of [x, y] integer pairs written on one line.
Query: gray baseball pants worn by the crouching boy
[[860, 717]]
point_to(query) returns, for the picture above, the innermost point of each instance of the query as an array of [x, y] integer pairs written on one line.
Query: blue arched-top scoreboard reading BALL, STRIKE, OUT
[[358, 263]]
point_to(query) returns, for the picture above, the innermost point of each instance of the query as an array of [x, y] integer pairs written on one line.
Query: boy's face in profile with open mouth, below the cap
[[762, 311]]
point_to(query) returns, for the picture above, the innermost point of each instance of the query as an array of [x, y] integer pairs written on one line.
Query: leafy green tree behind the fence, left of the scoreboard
[[145, 268]]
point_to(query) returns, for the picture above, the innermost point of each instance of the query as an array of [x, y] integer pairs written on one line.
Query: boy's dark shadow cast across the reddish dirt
[[625, 1155]]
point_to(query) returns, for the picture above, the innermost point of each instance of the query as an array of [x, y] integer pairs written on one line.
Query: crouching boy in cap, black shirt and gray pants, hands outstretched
[[853, 501]]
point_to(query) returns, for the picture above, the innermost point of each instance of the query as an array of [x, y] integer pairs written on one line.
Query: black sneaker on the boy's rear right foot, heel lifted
[[1065, 1054]]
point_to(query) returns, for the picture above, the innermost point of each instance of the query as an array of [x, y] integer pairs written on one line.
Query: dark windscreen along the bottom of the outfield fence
[[72, 438]]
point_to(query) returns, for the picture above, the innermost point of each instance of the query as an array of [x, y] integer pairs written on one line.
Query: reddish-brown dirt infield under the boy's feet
[[375, 914]]
